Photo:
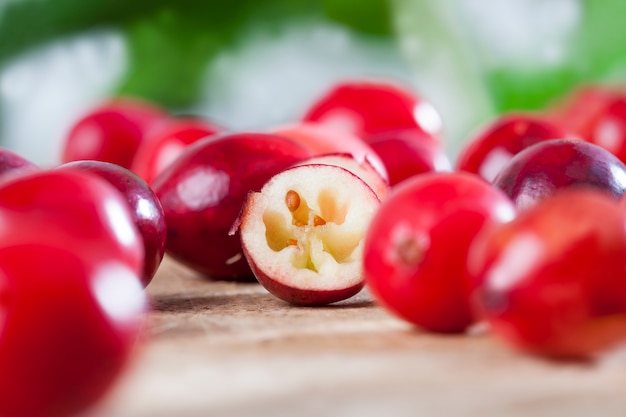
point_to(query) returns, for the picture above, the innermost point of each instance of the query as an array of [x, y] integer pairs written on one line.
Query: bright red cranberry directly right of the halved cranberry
[[417, 245]]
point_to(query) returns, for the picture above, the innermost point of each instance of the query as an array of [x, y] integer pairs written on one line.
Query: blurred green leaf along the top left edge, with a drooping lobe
[[170, 44]]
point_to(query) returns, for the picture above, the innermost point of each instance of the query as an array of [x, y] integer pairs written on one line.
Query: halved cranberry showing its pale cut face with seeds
[[303, 239]]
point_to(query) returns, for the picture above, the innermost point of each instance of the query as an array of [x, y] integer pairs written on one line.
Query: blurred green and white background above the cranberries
[[254, 63]]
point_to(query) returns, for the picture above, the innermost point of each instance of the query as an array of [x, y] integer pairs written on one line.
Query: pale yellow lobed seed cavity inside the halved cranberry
[[316, 235]]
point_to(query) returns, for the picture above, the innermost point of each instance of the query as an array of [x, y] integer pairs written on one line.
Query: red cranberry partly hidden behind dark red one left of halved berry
[[166, 141]]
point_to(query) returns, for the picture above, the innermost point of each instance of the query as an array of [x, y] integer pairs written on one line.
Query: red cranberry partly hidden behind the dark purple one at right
[[489, 151]]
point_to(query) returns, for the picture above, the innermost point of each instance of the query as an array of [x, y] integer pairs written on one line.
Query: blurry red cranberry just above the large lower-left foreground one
[[70, 210]]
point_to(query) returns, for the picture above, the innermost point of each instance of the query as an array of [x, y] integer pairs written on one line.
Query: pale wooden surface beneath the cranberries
[[225, 349]]
